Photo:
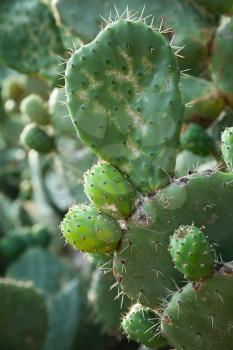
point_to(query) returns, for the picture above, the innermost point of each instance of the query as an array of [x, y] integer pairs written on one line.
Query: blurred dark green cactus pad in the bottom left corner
[[23, 316]]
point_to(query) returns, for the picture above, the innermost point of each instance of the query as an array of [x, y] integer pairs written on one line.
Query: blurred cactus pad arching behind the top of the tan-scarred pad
[[179, 16]]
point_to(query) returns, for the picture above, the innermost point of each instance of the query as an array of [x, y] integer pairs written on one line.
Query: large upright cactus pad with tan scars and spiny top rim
[[124, 100]]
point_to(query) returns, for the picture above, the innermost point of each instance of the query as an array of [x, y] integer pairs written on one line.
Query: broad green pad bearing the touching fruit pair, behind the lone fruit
[[142, 264]]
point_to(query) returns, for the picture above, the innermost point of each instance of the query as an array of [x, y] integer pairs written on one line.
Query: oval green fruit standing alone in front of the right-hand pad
[[191, 252]]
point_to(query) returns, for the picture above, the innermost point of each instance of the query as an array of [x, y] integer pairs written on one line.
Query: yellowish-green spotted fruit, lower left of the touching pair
[[89, 230]]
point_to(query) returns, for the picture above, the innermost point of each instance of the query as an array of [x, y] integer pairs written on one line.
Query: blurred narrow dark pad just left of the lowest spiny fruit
[[106, 306]]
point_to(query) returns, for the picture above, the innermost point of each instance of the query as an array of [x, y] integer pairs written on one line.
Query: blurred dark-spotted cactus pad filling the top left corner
[[29, 40]]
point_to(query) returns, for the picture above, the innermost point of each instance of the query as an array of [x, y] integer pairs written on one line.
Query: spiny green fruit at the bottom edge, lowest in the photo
[[142, 325]]
